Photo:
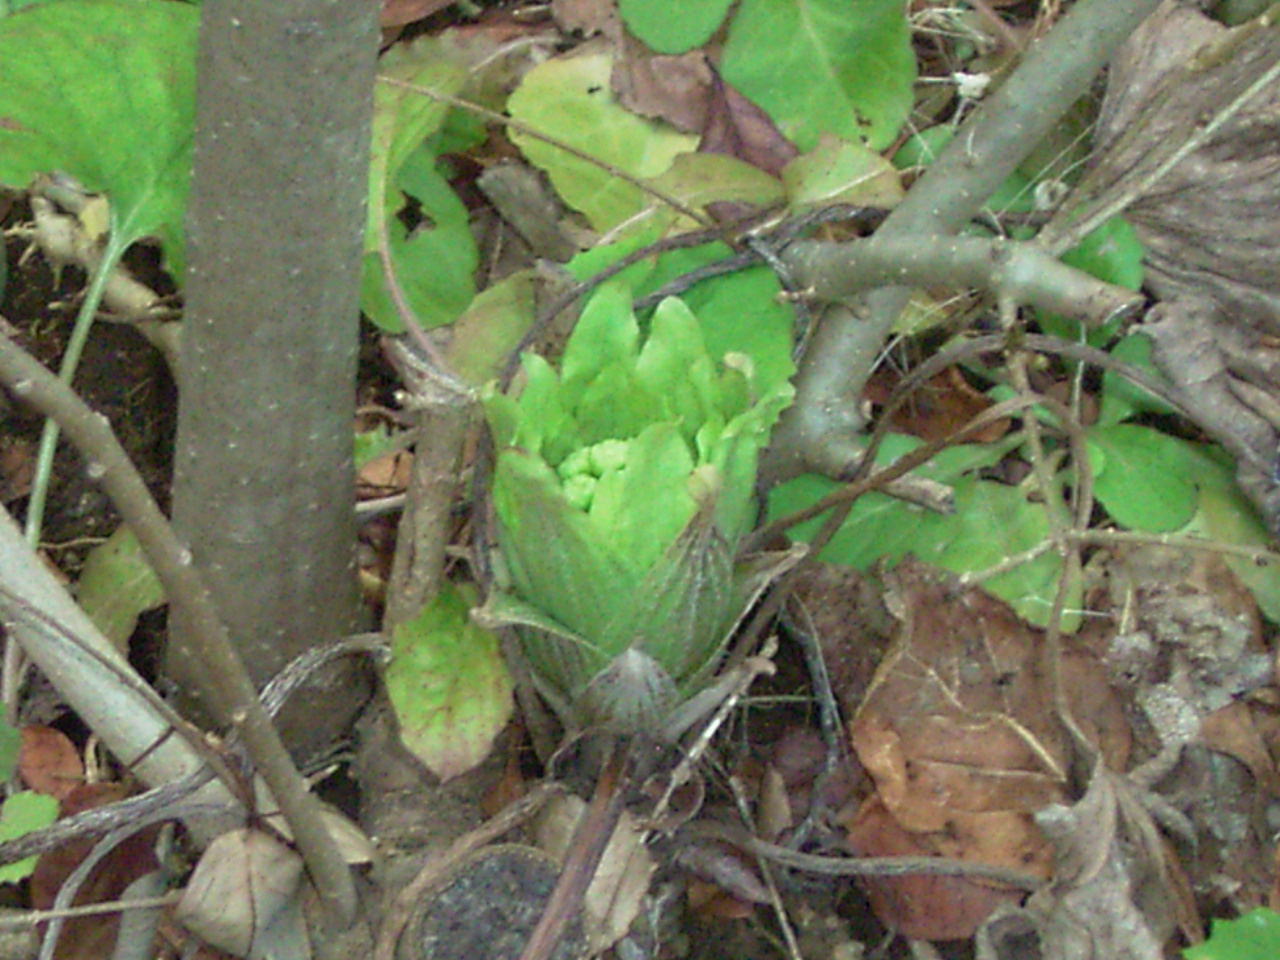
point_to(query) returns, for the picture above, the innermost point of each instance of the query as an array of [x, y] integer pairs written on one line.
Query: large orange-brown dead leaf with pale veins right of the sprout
[[959, 735]]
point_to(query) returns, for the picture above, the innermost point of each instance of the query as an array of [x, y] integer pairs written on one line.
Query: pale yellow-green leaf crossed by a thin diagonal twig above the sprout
[[570, 99]]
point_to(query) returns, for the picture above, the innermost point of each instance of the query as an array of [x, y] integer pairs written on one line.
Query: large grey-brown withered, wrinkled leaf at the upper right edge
[[1205, 217]]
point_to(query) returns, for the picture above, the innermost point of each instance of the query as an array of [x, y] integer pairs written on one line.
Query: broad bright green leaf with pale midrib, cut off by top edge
[[825, 67]]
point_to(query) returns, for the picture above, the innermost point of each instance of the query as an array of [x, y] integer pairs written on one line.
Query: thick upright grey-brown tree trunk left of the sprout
[[264, 478]]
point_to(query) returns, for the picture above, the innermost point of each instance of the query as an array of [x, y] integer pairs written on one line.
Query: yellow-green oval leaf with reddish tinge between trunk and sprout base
[[449, 684]]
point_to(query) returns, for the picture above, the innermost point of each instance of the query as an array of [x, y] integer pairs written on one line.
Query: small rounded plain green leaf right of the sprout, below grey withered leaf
[[1142, 478]]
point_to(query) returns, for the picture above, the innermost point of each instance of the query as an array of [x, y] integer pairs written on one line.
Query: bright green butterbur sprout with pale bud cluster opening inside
[[623, 487]]
